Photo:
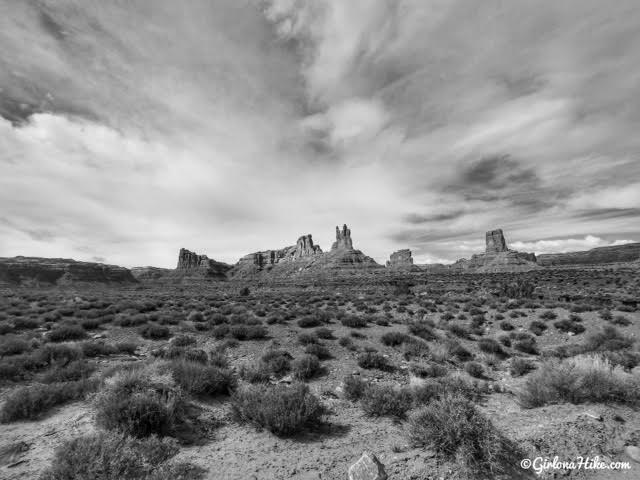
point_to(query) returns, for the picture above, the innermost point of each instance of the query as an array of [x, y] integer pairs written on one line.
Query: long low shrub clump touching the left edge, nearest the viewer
[[30, 403]]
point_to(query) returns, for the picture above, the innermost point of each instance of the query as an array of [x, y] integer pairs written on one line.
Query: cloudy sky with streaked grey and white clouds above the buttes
[[129, 129]]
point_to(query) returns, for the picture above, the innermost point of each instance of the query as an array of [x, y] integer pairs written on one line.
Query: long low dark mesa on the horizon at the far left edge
[[60, 271]]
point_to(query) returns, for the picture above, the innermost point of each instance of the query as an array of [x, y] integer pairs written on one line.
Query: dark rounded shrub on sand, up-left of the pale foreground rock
[[283, 410]]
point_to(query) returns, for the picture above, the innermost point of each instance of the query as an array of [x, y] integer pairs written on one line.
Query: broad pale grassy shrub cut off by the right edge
[[580, 379]]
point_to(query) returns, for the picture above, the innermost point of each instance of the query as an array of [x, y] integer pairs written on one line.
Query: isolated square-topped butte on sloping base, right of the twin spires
[[497, 258]]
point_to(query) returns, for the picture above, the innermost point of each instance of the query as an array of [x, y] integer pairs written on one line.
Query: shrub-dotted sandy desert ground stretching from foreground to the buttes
[[442, 376]]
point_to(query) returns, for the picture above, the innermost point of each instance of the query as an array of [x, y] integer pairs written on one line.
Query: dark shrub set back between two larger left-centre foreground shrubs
[[198, 379]]
